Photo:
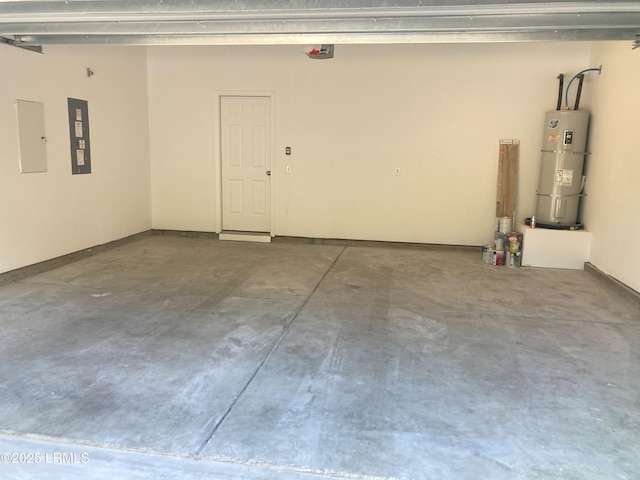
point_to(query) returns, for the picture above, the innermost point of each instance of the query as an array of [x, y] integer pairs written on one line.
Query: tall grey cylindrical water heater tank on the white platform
[[561, 169]]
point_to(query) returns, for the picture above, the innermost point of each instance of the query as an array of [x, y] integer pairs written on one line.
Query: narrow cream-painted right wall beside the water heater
[[612, 205]]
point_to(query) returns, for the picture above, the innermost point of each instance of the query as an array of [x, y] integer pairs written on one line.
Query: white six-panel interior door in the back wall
[[246, 163]]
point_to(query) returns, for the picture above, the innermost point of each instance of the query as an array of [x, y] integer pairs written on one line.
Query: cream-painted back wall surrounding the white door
[[436, 112]]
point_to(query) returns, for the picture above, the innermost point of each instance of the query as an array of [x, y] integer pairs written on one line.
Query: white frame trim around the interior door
[[217, 137]]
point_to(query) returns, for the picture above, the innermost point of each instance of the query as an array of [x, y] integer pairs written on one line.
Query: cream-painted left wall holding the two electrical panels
[[45, 215]]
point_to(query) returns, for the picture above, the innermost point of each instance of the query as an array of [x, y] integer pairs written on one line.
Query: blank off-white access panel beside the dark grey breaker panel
[[31, 136]]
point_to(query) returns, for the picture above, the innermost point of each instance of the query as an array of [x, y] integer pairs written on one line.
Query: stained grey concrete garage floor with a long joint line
[[177, 357]]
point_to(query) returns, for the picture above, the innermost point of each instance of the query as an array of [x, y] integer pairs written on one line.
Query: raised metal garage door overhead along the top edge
[[242, 22]]
